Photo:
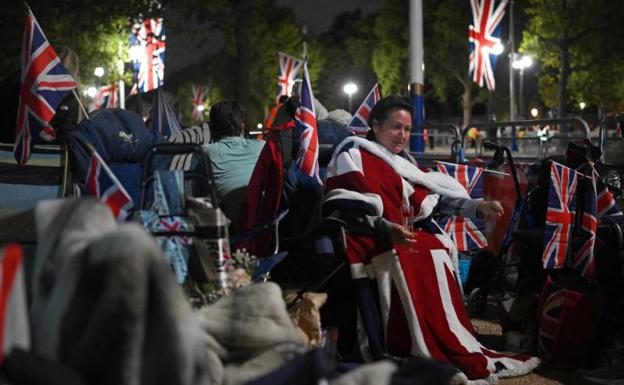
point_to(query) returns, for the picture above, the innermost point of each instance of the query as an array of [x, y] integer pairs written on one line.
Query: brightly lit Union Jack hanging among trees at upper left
[[147, 48]]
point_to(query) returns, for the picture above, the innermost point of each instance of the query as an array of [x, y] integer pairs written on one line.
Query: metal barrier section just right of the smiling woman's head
[[442, 139]]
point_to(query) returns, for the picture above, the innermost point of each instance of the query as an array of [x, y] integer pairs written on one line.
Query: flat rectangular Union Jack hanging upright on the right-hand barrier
[[559, 215]]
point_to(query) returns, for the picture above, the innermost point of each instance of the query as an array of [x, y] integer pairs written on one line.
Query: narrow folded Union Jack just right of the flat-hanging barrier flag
[[583, 261]]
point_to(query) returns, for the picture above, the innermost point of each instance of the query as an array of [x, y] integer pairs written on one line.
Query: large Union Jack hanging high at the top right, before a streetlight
[[483, 35]]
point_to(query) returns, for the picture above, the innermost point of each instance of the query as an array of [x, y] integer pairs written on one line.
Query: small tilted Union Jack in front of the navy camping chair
[[103, 184]]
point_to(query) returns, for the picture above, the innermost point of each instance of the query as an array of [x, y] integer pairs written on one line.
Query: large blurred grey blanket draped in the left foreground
[[106, 304]]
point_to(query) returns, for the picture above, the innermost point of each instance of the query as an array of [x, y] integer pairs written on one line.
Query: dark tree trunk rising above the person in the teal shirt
[[243, 48]]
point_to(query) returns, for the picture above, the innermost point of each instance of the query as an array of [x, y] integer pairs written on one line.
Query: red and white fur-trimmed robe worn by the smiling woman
[[408, 297]]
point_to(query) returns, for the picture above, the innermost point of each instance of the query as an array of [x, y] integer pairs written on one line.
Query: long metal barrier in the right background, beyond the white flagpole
[[542, 128]]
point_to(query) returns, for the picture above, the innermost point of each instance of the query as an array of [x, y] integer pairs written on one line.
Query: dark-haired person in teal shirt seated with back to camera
[[232, 156]]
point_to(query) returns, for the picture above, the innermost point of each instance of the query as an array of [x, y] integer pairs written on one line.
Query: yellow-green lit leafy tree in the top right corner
[[574, 41]]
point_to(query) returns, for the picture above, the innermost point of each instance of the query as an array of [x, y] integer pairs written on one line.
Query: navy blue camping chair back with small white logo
[[121, 138]]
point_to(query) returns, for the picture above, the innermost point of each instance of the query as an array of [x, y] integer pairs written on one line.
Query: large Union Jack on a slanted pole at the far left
[[44, 84]]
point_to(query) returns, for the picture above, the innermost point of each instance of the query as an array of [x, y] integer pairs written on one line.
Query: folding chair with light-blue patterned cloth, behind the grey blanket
[[180, 214]]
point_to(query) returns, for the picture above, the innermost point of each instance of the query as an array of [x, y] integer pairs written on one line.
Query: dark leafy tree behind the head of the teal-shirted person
[[254, 32]]
